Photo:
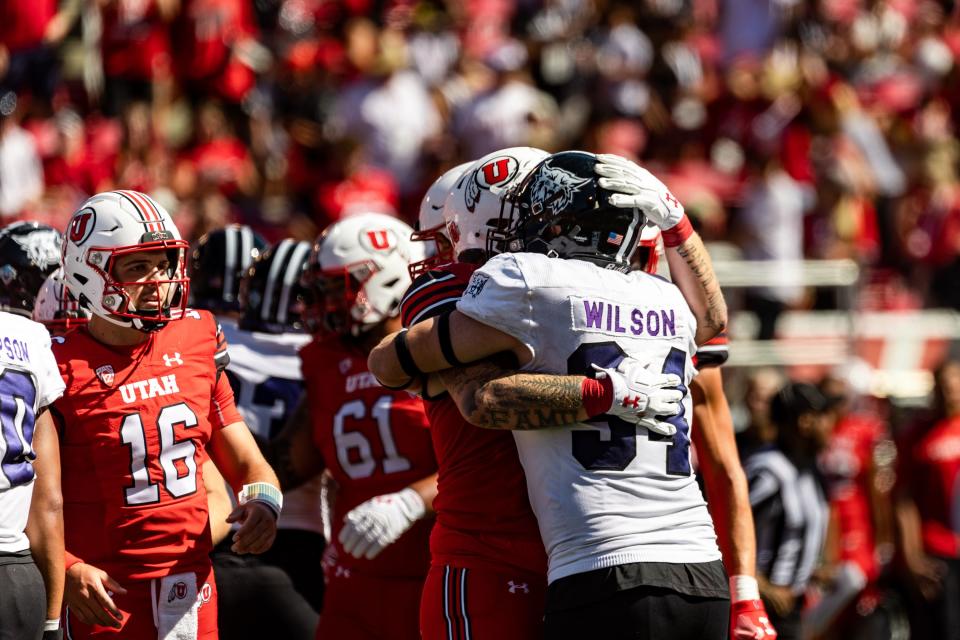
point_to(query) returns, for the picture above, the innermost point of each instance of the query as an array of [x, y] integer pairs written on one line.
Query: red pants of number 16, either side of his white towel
[[139, 606]]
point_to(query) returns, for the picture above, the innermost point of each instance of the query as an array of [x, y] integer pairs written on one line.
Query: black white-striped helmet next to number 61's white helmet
[[271, 295]]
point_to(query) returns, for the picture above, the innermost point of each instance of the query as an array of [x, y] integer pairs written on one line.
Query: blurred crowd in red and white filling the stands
[[789, 129]]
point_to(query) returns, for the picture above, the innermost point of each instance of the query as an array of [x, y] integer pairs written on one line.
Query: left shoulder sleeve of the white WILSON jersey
[[497, 296]]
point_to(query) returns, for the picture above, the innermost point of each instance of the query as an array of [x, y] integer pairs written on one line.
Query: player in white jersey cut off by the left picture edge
[[29, 477]]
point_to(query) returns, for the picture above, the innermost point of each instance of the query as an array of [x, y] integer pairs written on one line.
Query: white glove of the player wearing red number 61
[[378, 522]]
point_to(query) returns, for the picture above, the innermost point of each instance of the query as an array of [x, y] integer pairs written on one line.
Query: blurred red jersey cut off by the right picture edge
[[932, 473]]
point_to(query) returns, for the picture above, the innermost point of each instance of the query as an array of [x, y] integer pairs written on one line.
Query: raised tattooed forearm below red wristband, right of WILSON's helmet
[[692, 271]]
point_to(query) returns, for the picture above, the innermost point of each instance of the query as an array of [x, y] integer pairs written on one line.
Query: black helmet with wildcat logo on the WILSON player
[[560, 210]]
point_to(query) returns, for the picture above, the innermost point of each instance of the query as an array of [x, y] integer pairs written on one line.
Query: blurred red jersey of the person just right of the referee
[[846, 468]]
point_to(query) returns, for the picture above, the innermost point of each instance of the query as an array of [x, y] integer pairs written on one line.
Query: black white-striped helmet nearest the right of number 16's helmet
[[217, 264]]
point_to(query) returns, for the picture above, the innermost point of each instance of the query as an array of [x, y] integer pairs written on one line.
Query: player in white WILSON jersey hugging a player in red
[[632, 550]]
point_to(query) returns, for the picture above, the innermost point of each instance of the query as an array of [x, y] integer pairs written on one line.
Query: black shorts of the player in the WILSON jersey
[[649, 600]]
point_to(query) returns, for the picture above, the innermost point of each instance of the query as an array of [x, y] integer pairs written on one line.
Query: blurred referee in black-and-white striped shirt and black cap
[[790, 509]]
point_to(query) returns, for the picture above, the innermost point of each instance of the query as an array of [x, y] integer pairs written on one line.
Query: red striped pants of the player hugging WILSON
[[479, 603]]
